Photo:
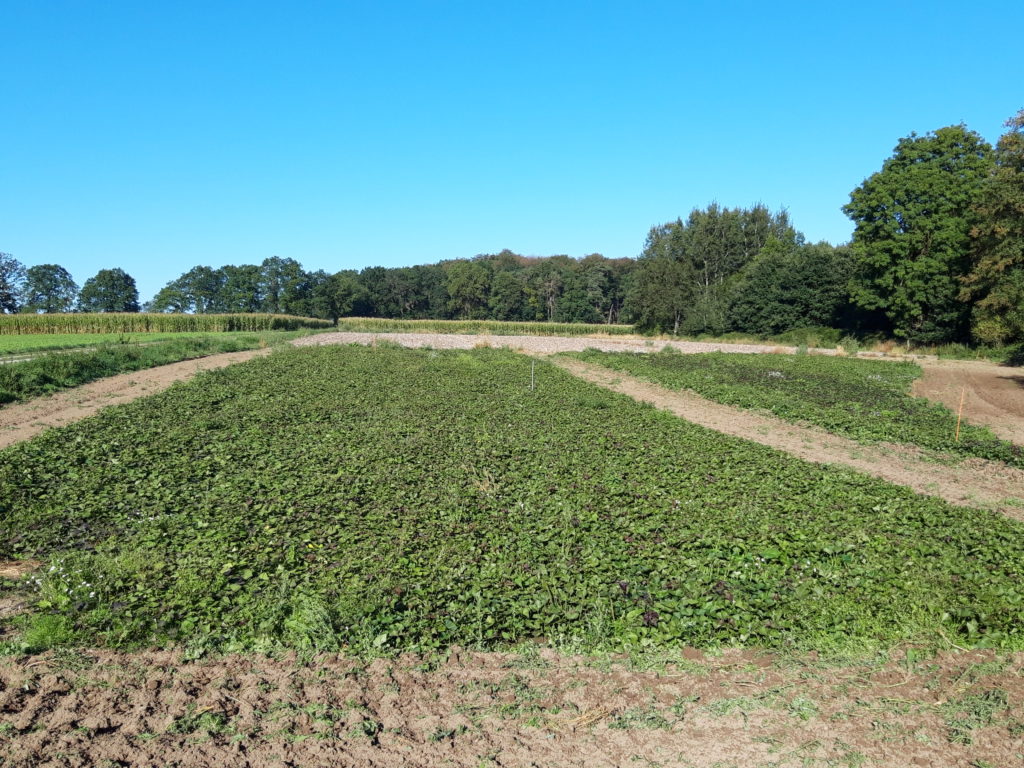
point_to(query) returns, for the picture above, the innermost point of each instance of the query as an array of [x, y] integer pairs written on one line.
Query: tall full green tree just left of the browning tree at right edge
[[912, 238]]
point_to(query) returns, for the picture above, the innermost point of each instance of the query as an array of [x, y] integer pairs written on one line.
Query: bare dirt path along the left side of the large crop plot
[[21, 421]]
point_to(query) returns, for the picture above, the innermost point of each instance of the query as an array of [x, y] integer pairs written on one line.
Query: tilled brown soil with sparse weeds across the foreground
[[740, 709]]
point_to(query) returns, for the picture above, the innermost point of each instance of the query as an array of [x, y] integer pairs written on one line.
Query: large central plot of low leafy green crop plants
[[380, 500]]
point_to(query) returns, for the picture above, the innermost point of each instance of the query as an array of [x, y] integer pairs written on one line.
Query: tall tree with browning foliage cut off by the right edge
[[997, 278]]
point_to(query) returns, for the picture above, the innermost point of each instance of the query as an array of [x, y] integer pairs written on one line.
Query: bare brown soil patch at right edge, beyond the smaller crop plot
[[994, 396]]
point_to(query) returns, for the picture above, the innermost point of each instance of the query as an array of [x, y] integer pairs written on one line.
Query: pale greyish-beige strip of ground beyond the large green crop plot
[[541, 345]]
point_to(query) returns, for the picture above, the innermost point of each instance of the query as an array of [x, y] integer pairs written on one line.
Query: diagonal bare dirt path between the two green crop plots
[[975, 483]]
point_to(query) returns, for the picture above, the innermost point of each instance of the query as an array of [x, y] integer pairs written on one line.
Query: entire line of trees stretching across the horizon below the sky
[[937, 255]]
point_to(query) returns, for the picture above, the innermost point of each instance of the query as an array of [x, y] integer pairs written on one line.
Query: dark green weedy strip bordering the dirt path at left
[[53, 372]]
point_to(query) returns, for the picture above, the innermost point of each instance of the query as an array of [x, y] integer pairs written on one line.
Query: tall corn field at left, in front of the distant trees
[[104, 323]]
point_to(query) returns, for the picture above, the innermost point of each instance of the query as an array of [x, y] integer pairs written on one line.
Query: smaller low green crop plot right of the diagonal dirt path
[[867, 401]]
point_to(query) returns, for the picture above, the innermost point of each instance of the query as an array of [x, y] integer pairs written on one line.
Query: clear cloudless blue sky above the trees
[[157, 137]]
